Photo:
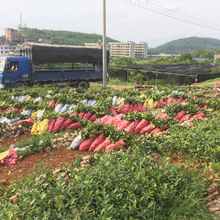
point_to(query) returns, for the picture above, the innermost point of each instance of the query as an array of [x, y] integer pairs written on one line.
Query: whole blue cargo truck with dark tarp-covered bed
[[55, 65]]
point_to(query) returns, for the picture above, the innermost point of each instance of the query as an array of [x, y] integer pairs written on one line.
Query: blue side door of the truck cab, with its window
[[13, 71]]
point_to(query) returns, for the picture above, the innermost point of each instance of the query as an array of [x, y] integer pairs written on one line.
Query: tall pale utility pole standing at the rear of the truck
[[104, 61]]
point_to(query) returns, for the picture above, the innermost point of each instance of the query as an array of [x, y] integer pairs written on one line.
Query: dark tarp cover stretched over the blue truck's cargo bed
[[63, 54]]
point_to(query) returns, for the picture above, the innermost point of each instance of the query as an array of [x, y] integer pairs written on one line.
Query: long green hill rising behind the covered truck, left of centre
[[62, 37]]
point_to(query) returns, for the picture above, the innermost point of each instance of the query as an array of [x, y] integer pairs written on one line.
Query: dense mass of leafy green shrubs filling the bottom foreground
[[120, 186]]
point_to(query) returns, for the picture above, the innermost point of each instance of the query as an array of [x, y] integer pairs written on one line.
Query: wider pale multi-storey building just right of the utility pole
[[120, 49]]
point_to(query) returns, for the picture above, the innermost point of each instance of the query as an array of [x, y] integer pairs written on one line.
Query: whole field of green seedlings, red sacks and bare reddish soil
[[110, 154]]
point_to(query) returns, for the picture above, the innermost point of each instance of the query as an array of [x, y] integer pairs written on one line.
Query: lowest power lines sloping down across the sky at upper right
[[161, 12]]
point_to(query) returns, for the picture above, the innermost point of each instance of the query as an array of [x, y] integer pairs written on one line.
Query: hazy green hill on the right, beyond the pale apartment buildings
[[186, 45]]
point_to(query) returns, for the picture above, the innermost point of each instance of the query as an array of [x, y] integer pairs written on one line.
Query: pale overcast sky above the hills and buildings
[[135, 20]]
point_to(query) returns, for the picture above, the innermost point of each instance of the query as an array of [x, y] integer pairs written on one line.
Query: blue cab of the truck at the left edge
[[14, 72]]
